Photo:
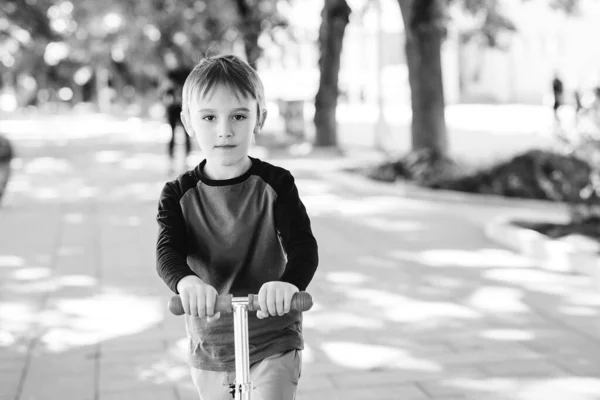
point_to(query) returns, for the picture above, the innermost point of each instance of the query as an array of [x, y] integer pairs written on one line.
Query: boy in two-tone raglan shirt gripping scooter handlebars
[[235, 224]]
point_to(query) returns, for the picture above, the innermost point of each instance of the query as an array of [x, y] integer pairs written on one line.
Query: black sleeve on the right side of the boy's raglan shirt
[[298, 241]]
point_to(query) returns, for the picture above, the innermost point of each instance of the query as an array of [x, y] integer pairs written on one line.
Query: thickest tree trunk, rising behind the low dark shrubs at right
[[424, 29]]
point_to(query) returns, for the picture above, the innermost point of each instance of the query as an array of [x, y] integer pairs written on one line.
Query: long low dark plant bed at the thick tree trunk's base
[[570, 177]]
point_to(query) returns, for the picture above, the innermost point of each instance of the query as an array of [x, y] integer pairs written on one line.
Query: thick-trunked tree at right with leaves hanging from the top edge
[[425, 23]]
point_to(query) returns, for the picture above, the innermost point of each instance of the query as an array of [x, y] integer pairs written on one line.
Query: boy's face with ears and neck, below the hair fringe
[[223, 122]]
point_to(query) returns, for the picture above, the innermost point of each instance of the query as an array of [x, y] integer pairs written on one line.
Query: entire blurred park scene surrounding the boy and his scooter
[[447, 152]]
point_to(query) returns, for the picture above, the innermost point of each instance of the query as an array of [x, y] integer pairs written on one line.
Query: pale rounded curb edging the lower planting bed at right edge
[[573, 254]]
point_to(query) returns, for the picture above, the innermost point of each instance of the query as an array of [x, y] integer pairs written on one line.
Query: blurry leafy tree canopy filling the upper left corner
[[136, 41]]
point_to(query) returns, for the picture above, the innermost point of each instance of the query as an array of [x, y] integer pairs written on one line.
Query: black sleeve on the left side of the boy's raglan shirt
[[171, 256]]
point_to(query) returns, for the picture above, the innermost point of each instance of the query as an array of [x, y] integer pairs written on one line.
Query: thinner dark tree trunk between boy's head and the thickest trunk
[[335, 17]]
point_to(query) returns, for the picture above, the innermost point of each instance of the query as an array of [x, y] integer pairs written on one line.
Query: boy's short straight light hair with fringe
[[226, 70]]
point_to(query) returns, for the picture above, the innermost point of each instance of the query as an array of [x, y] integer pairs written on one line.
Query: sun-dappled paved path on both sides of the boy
[[412, 301]]
